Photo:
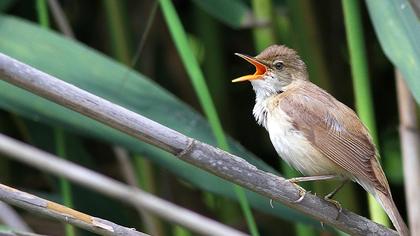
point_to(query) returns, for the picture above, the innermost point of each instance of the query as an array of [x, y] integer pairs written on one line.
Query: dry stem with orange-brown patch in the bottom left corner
[[61, 213]]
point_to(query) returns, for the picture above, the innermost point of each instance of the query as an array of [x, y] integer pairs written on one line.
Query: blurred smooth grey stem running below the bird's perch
[[112, 188]]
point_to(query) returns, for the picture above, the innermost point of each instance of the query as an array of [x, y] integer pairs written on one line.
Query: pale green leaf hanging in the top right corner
[[398, 30]]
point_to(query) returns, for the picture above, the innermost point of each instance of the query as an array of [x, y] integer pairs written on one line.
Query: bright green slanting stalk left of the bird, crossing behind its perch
[[196, 76]]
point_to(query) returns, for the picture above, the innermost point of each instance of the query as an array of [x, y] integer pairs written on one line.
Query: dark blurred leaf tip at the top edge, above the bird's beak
[[234, 13]]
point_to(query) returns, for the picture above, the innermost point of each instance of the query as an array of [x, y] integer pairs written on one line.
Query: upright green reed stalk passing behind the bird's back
[[361, 85]]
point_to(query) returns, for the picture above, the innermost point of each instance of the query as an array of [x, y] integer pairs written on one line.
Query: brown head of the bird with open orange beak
[[276, 67]]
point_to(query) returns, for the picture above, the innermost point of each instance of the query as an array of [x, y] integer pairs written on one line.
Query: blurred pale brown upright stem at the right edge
[[410, 141]]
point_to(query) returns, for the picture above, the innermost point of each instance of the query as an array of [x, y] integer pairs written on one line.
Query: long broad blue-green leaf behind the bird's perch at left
[[94, 72]]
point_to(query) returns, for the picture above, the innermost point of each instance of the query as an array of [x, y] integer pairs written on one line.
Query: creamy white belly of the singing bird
[[295, 149]]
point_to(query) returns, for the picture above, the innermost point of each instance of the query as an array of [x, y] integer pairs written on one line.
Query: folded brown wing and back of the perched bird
[[334, 130]]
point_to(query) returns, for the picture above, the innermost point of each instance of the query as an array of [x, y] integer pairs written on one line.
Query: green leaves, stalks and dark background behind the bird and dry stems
[[182, 56]]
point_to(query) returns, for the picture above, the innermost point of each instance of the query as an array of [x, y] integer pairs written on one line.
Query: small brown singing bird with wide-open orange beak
[[312, 131]]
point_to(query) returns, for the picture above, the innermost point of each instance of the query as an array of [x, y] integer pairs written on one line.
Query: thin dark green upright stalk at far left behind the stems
[[59, 136]]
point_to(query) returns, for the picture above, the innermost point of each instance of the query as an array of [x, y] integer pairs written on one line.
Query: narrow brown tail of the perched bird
[[391, 210]]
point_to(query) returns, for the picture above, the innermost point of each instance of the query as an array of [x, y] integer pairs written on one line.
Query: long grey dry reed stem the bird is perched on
[[209, 158]]
